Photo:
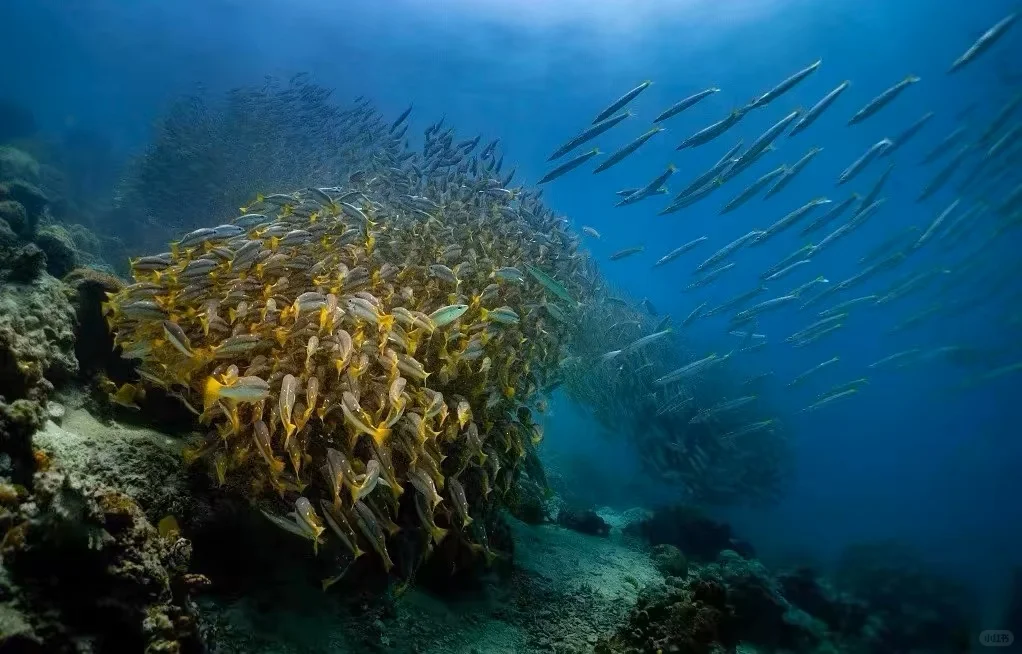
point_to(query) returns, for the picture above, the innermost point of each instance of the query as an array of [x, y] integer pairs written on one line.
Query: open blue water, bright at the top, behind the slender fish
[[911, 457]]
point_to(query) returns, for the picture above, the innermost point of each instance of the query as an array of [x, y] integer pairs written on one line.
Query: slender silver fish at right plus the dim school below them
[[978, 167]]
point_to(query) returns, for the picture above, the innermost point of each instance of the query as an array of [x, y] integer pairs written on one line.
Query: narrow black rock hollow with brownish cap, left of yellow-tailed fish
[[94, 342]]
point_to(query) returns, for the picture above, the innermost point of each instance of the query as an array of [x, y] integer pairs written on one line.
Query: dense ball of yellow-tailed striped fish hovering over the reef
[[370, 357]]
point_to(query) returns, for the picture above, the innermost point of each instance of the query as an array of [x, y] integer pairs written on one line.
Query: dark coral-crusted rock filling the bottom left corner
[[94, 575]]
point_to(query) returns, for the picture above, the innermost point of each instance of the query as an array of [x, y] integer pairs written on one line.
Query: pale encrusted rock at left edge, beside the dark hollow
[[37, 339]]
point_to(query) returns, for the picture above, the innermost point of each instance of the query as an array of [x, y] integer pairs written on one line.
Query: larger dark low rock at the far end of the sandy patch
[[690, 531]]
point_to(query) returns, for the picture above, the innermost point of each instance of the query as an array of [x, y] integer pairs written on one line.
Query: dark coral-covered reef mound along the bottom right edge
[[884, 601]]
